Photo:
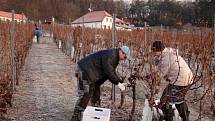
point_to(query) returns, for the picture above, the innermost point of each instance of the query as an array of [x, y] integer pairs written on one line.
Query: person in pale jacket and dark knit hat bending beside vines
[[173, 68]]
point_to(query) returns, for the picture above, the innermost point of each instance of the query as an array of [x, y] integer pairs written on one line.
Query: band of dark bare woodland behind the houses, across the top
[[155, 12]]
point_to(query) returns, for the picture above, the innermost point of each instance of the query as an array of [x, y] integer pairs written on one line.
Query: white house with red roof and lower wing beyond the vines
[[100, 19]]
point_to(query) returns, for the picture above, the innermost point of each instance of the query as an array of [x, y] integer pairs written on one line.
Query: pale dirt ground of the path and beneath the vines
[[47, 90]]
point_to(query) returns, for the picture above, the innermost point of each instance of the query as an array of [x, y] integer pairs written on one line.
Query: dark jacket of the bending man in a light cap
[[100, 66]]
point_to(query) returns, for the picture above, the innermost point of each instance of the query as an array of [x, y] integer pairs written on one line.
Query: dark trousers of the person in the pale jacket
[[176, 95]]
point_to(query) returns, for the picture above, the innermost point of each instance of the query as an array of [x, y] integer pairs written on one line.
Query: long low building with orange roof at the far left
[[7, 16]]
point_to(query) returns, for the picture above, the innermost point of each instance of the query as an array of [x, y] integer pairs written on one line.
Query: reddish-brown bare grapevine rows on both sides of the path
[[195, 46]]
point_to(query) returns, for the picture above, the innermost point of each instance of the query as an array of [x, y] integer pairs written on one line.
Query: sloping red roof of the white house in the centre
[[95, 16]]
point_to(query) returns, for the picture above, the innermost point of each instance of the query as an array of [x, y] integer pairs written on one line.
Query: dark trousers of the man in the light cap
[[85, 92]]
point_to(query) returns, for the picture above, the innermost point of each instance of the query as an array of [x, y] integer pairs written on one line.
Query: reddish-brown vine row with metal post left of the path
[[15, 41]]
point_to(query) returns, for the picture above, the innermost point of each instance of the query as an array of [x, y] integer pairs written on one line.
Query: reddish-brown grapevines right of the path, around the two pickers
[[195, 46]]
